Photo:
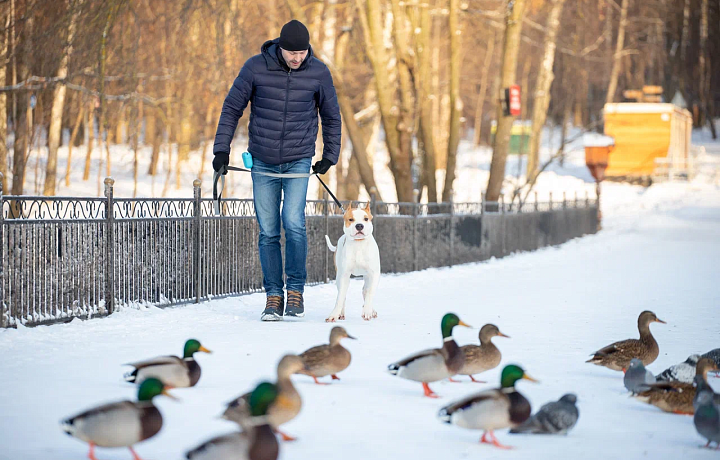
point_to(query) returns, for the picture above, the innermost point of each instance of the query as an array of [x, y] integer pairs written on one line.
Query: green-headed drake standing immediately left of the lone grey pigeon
[[491, 410]]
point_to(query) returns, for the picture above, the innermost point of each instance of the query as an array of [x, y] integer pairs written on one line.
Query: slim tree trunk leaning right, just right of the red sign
[[542, 87]]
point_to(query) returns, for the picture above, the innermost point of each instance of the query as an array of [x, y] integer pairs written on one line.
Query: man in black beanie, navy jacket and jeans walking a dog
[[287, 88]]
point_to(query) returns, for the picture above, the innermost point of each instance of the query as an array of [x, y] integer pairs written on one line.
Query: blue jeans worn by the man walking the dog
[[266, 195]]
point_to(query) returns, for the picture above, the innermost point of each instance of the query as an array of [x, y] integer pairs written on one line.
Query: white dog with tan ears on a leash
[[356, 254]]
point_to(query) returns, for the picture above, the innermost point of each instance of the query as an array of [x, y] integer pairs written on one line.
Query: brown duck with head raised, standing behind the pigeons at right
[[617, 356]]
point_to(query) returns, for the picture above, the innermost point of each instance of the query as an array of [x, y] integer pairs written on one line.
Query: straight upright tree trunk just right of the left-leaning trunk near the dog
[[425, 131]]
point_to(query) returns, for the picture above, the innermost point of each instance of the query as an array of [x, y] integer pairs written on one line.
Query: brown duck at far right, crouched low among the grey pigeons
[[676, 397]]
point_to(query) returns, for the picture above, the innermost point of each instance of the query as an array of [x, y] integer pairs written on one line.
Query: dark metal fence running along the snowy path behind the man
[[67, 257]]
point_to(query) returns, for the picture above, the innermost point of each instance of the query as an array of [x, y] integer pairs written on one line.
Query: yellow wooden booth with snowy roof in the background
[[644, 132]]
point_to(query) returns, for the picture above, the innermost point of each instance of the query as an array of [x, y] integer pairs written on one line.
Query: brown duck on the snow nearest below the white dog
[[329, 359]]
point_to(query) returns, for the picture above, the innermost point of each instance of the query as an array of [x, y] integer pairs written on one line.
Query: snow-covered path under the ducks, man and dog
[[659, 252]]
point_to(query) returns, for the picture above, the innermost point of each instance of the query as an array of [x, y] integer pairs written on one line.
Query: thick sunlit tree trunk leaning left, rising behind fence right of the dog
[[372, 25]]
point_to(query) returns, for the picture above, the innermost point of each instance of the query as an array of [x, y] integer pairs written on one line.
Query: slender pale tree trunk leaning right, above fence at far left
[[56, 112]]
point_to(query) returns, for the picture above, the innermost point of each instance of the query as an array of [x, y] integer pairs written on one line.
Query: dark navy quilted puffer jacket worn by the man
[[284, 110]]
